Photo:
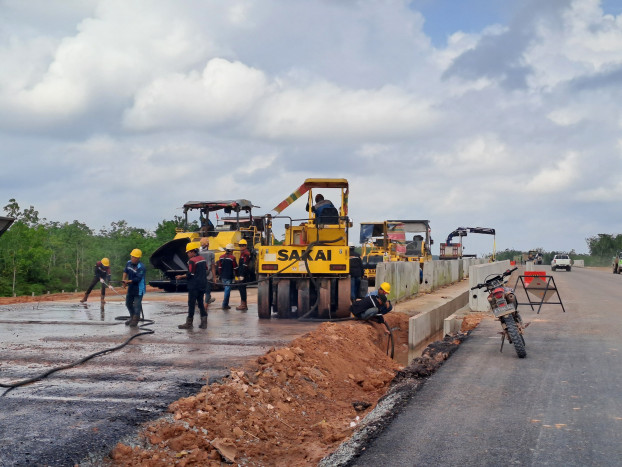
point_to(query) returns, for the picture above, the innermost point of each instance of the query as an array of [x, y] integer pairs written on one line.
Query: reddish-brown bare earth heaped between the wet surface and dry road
[[292, 406]]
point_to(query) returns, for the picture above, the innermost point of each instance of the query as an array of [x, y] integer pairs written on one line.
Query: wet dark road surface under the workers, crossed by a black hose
[[79, 414]]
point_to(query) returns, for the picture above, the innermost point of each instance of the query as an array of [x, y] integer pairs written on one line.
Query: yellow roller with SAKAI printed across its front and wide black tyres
[[307, 276]]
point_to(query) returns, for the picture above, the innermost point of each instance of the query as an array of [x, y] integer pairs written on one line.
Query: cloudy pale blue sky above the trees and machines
[[473, 113]]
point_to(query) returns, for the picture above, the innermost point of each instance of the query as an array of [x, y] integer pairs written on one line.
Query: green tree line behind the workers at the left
[[39, 256]]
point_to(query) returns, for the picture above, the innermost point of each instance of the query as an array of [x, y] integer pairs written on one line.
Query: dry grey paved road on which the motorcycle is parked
[[562, 405]]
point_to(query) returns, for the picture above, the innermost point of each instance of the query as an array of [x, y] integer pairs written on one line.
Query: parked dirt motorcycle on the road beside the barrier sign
[[504, 306]]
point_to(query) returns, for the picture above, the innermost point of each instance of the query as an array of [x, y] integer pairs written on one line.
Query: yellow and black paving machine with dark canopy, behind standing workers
[[236, 224]]
